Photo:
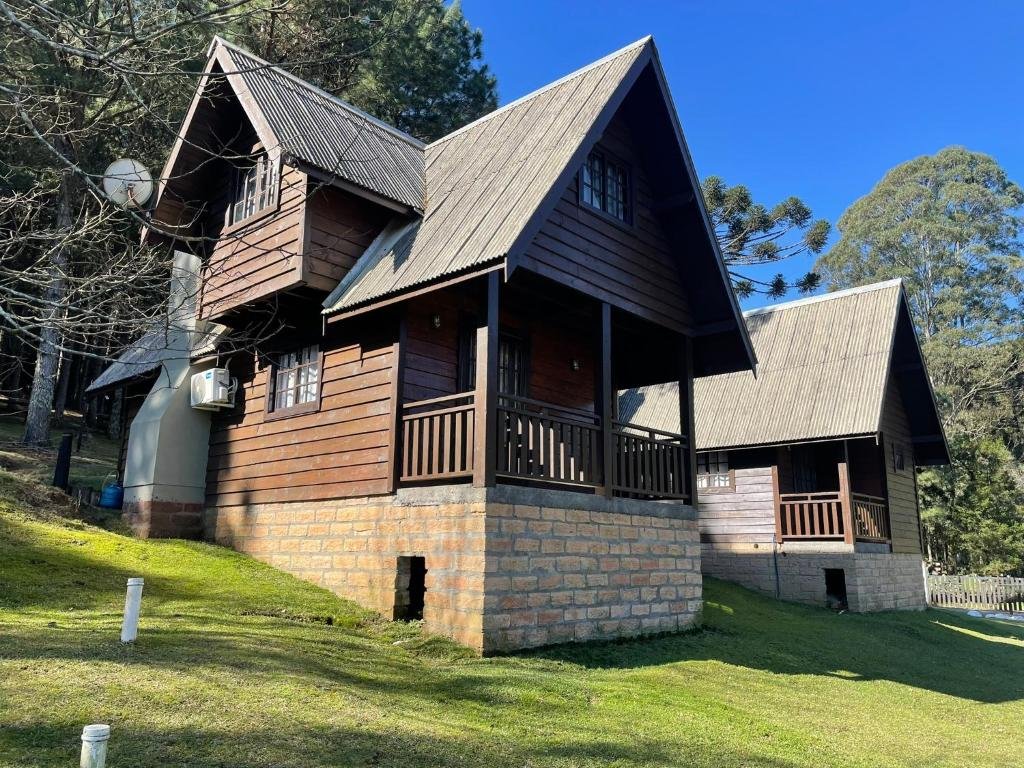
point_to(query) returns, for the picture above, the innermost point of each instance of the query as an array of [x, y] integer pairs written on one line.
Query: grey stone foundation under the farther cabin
[[875, 581]]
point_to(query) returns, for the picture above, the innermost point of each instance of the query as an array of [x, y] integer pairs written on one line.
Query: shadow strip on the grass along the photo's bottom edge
[[286, 745]]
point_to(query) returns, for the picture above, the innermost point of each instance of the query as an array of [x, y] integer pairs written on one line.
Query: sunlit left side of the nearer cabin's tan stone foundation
[[352, 547]]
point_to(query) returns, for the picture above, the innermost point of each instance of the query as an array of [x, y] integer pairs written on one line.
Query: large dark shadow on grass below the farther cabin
[[934, 651]]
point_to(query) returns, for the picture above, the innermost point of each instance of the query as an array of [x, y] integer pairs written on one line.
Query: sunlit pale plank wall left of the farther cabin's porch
[[745, 516]]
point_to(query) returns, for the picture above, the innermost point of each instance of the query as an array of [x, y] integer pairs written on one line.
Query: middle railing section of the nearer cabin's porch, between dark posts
[[541, 442]]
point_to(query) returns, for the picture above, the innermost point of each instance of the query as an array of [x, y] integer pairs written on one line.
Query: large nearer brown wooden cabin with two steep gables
[[429, 342]]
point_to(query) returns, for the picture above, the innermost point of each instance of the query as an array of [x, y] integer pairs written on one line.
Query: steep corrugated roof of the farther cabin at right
[[823, 367]]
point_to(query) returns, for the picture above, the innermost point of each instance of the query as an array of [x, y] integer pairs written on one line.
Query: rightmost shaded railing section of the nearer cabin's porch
[[649, 463]]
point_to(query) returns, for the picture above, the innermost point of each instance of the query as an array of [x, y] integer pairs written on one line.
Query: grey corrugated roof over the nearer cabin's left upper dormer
[[329, 134]]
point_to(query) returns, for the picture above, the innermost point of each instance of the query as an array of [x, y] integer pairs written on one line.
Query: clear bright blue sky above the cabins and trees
[[812, 99]]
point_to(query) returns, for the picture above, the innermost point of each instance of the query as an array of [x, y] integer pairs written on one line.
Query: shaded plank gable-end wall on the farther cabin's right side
[[904, 515]]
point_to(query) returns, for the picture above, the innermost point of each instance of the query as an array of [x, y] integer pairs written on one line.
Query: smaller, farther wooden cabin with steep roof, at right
[[806, 483]]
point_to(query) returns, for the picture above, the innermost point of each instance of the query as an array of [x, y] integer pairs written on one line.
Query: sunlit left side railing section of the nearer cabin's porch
[[438, 439]]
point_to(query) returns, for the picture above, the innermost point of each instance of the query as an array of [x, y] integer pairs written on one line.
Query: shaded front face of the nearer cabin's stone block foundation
[[565, 568]]
